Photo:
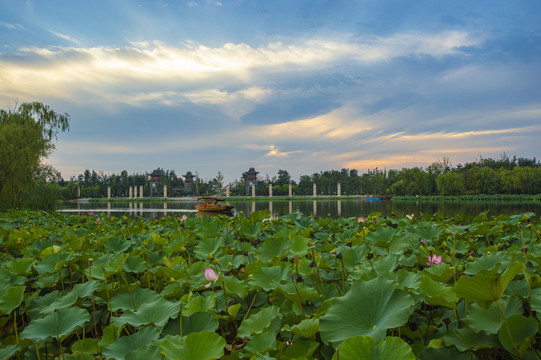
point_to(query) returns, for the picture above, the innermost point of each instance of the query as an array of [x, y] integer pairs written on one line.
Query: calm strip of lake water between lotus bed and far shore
[[317, 208]]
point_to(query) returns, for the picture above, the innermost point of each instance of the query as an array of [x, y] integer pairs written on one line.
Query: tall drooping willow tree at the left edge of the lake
[[27, 135]]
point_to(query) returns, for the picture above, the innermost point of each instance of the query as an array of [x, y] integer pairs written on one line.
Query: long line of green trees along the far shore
[[485, 176]]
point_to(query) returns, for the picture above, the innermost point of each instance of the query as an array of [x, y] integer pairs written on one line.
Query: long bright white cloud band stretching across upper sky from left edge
[[67, 72]]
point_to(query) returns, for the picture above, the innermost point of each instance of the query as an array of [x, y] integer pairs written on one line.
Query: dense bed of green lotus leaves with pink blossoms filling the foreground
[[425, 287]]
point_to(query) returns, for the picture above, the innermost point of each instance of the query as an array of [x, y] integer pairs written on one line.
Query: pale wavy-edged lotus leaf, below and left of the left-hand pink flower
[[157, 312]]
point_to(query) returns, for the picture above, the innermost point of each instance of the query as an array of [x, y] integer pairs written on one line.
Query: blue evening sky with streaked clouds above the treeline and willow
[[305, 86]]
